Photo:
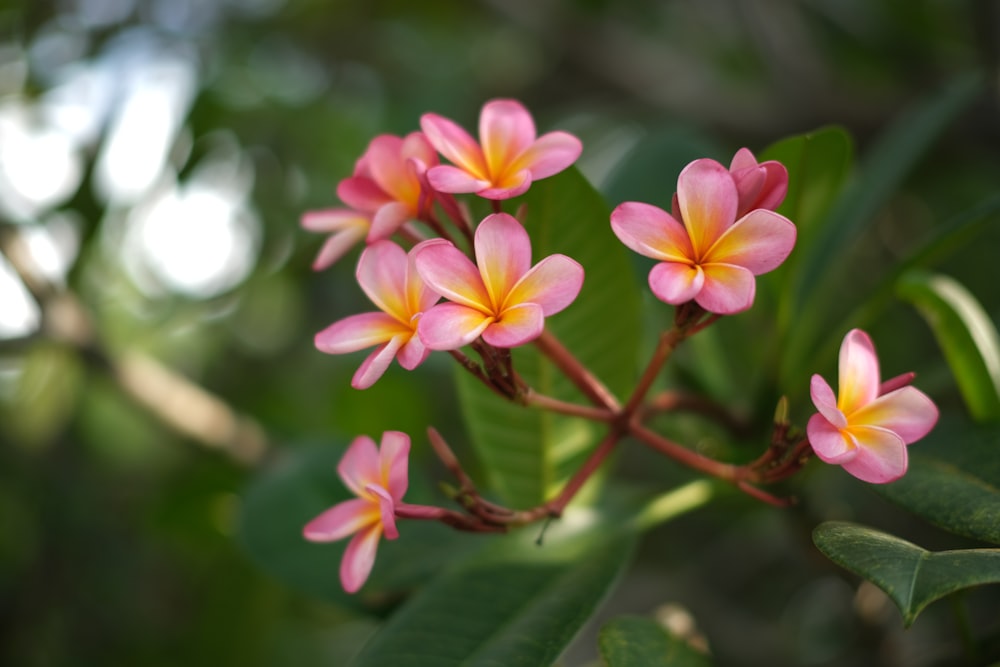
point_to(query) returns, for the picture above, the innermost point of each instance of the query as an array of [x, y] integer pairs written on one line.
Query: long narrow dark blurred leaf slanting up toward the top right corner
[[820, 266]]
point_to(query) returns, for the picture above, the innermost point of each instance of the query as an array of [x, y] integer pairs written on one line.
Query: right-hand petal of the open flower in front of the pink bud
[[759, 241]]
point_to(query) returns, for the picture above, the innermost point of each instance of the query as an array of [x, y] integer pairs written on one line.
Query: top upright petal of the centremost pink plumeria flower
[[503, 255]]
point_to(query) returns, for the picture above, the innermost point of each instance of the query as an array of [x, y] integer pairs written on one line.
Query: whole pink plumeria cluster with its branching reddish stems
[[476, 286]]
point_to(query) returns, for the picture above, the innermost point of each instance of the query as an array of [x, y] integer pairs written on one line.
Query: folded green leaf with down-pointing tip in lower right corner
[[912, 577]]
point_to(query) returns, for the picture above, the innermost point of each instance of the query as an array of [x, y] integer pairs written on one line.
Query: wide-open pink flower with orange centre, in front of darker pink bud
[[709, 255]]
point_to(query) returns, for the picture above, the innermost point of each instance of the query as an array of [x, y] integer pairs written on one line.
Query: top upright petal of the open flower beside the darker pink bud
[[707, 198]]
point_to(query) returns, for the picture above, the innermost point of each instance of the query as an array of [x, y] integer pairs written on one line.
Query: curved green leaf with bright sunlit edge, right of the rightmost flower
[[965, 334]]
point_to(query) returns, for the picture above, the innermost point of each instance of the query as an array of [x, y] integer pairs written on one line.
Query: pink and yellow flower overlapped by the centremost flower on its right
[[388, 276]]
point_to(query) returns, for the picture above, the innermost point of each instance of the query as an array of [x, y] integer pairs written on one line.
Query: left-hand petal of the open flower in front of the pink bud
[[651, 232]]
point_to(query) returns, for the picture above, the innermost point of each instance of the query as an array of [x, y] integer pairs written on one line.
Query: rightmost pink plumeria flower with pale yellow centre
[[866, 427]]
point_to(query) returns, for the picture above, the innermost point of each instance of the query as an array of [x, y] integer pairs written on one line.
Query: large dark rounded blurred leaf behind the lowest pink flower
[[285, 496]]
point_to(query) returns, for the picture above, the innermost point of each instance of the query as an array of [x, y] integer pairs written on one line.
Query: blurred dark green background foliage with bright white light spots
[[157, 307]]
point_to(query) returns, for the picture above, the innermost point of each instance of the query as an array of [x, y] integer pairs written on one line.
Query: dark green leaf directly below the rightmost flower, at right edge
[[954, 480]]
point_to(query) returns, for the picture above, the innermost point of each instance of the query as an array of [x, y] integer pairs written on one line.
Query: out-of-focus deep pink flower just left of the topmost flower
[[389, 182]]
